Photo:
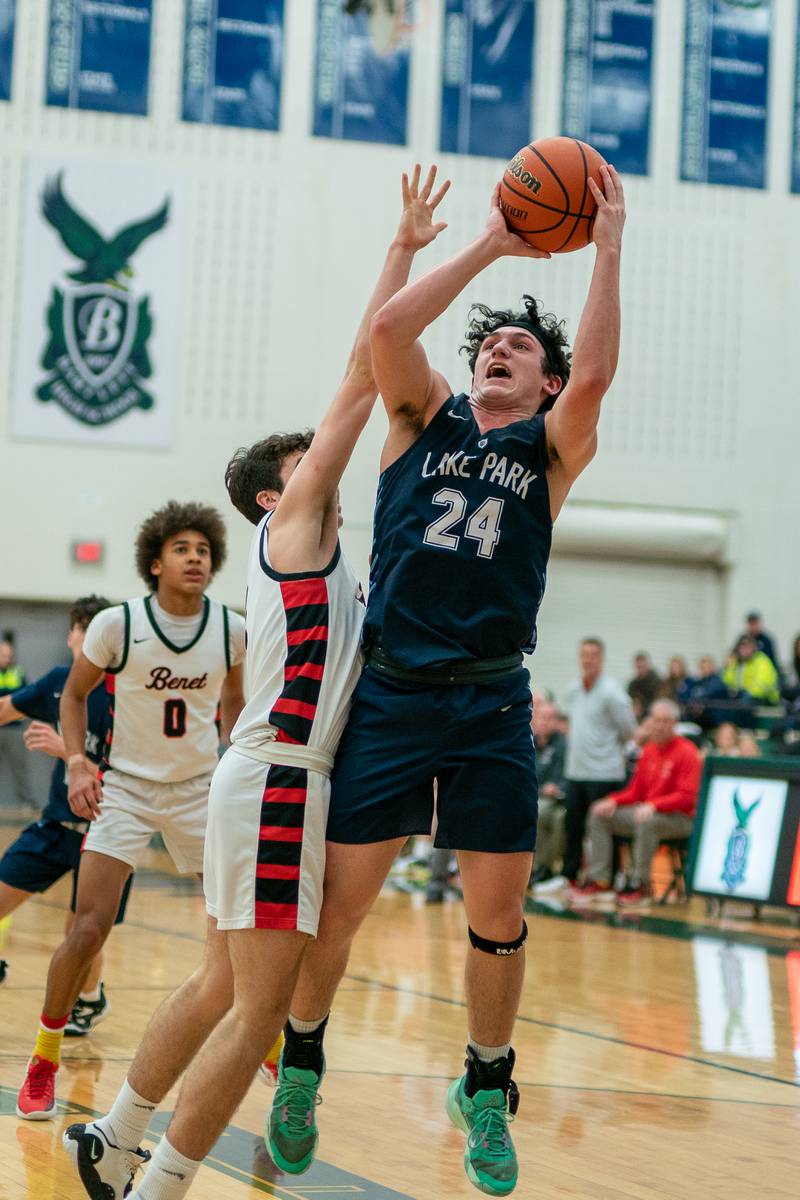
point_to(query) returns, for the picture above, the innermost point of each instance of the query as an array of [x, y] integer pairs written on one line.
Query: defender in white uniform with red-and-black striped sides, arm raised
[[266, 847]]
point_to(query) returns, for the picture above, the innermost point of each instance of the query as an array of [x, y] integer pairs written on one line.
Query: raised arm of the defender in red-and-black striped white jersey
[[312, 489]]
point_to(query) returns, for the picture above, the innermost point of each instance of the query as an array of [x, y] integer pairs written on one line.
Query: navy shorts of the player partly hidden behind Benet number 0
[[43, 855]]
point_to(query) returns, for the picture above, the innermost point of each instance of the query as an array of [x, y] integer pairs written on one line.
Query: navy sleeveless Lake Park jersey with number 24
[[461, 543]]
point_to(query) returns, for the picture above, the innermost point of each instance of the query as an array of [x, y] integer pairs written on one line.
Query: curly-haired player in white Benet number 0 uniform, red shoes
[[173, 664]]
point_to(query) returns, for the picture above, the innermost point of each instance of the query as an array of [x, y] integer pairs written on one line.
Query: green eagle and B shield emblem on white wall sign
[[98, 351]]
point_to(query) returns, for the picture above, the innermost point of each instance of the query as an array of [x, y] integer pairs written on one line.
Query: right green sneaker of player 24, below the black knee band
[[490, 1157]]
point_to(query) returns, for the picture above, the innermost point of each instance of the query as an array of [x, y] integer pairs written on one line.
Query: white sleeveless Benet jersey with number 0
[[165, 699]]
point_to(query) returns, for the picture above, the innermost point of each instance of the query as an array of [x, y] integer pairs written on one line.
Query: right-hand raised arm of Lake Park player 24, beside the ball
[[573, 423]]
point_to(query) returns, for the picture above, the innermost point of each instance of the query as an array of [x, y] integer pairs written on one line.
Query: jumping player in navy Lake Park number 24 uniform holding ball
[[470, 489]]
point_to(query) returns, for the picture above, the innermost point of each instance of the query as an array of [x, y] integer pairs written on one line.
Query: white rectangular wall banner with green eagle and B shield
[[99, 322]]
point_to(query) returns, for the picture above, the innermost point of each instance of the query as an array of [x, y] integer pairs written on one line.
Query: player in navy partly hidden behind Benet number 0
[[51, 848]]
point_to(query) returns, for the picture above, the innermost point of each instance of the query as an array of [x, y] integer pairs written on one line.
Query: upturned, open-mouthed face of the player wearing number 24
[[510, 371]]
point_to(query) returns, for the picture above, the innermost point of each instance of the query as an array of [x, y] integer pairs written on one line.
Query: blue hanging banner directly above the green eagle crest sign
[[99, 56]]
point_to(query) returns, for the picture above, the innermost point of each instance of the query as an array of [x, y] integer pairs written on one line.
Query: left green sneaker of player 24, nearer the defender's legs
[[292, 1132]]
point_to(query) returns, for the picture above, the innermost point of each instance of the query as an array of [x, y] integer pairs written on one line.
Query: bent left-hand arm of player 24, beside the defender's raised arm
[[411, 389]]
